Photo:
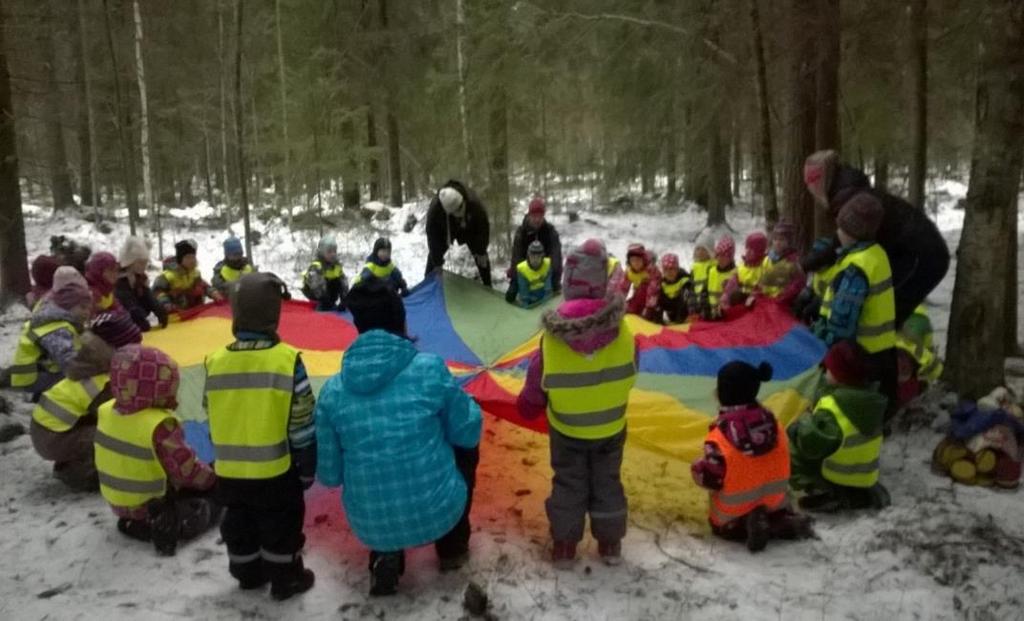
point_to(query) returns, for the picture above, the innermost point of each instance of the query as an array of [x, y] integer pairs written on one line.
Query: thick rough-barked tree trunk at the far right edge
[[977, 346]]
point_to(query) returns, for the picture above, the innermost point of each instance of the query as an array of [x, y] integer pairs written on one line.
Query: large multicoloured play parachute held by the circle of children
[[488, 345]]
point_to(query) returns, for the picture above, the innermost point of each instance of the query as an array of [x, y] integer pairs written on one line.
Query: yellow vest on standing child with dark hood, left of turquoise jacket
[[249, 400]]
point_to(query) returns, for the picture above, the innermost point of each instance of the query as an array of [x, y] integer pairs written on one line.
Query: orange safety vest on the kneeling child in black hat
[[750, 481]]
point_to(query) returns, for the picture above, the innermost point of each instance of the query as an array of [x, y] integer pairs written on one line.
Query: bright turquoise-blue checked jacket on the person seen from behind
[[386, 427]]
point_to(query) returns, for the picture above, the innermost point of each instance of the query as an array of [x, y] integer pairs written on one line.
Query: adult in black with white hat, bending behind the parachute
[[457, 216]]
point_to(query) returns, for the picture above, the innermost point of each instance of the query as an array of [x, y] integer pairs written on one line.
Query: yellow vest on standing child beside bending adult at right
[[877, 325]]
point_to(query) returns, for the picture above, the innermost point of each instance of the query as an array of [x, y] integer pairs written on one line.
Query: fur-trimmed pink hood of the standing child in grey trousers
[[587, 325]]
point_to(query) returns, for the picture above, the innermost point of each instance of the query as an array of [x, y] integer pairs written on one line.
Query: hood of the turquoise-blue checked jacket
[[374, 360]]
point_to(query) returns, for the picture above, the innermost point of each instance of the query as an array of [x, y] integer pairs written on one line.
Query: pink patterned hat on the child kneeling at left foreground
[[144, 378]]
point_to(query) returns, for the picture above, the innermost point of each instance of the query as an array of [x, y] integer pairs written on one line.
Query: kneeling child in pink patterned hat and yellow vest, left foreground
[[152, 479]]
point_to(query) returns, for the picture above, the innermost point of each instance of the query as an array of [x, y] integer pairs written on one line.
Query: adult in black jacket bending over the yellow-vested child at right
[[918, 255]]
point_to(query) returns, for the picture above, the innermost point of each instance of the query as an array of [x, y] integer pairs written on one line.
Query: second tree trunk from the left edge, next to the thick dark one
[[61, 187]]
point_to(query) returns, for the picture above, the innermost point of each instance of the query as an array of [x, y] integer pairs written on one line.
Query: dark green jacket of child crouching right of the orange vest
[[817, 435]]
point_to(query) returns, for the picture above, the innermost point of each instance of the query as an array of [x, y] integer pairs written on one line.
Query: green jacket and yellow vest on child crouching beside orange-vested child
[[839, 443]]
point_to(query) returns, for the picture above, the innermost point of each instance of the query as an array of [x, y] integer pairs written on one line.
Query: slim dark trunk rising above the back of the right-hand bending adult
[[919, 109]]
